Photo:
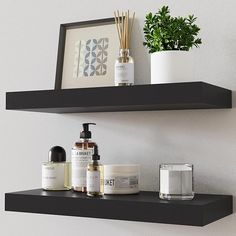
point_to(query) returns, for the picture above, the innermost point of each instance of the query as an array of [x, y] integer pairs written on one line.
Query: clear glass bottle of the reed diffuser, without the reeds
[[124, 69]]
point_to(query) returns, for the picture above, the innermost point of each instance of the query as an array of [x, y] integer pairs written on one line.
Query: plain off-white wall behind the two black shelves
[[206, 138]]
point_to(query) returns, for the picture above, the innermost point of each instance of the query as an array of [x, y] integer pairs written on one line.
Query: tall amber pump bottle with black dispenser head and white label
[[80, 157]]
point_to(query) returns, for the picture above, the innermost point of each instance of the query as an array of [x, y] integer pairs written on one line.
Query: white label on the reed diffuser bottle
[[124, 73]]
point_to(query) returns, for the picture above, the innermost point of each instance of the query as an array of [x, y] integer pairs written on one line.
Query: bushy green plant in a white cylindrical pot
[[169, 40]]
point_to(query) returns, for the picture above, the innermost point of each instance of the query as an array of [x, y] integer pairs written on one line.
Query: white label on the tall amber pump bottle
[[79, 162]]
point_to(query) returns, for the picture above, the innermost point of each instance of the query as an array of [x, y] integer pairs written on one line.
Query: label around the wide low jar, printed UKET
[[121, 182]]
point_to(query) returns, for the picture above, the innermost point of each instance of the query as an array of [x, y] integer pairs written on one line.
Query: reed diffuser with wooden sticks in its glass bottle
[[124, 65]]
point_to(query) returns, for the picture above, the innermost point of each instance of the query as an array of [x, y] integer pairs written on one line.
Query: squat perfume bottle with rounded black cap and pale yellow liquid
[[56, 173]]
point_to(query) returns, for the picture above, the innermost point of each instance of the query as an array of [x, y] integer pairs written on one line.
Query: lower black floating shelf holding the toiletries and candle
[[145, 207]]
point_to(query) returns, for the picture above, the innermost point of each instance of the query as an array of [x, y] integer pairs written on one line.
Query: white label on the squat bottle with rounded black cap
[[53, 176]]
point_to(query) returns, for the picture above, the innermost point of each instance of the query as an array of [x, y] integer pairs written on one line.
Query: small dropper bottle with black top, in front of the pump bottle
[[95, 186]]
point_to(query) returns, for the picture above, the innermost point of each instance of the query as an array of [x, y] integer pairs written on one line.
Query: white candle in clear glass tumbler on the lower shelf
[[176, 182]]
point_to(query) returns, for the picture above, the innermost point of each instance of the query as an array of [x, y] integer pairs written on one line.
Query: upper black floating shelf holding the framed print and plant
[[172, 96]]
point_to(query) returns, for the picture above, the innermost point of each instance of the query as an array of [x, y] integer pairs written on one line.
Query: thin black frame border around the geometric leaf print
[[62, 39]]
